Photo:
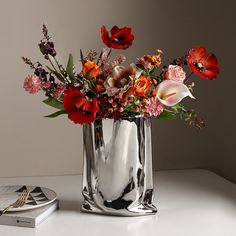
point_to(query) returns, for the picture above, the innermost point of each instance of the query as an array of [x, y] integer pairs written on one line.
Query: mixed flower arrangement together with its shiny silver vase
[[117, 151]]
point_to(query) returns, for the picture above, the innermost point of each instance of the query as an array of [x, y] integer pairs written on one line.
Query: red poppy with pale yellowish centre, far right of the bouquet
[[202, 63]]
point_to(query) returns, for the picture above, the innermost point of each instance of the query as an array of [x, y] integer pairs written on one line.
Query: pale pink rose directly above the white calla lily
[[176, 73]]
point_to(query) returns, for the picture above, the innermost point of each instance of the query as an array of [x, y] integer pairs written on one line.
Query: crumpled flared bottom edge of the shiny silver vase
[[140, 210]]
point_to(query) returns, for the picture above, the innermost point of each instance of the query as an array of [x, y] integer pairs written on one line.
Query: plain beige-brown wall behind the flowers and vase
[[33, 145]]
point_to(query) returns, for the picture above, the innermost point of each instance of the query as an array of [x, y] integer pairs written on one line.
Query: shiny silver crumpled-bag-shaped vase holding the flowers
[[117, 177]]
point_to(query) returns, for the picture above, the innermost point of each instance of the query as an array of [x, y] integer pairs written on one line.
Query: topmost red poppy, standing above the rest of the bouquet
[[121, 38]]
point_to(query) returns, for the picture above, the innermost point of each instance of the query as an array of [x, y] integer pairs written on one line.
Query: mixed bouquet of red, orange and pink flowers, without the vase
[[106, 89]]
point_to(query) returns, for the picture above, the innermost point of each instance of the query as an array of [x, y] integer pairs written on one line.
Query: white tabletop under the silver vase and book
[[190, 203]]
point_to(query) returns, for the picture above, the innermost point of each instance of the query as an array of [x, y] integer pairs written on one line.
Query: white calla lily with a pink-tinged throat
[[171, 92]]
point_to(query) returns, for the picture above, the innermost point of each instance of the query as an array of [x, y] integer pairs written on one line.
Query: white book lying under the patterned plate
[[29, 218]]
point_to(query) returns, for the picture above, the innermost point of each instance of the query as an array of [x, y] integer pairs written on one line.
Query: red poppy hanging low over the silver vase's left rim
[[80, 110]]
